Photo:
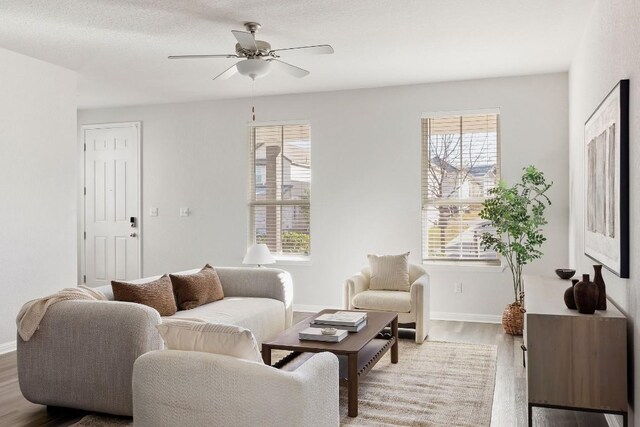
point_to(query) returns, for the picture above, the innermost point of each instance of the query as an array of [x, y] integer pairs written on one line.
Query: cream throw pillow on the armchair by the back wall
[[389, 272]]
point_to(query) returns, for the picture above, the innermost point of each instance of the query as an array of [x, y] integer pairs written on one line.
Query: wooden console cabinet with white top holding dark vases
[[574, 361]]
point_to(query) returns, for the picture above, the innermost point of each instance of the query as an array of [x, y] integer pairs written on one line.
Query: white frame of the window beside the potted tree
[[443, 264]]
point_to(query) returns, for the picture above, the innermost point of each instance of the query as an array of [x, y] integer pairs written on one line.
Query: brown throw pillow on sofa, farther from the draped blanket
[[193, 290]]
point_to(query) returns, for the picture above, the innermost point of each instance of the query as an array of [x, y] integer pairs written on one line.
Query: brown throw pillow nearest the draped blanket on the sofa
[[157, 294]]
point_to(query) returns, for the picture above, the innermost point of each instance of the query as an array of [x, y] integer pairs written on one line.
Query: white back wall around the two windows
[[366, 178]]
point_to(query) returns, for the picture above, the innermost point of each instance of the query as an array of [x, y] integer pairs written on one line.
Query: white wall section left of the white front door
[[37, 183]]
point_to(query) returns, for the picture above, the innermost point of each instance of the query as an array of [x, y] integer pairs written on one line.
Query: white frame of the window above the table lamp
[[283, 259]]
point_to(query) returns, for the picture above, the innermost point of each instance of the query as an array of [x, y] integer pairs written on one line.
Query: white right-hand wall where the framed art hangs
[[608, 53]]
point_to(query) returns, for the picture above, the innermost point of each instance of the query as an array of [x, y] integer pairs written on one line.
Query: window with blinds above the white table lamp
[[280, 193]]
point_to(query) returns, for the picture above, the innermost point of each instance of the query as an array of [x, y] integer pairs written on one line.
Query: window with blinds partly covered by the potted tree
[[460, 163]]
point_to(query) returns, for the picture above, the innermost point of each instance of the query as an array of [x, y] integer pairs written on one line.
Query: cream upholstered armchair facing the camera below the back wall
[[412, 306]]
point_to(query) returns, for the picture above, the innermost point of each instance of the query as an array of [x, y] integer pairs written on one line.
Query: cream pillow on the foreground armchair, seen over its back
[[197, 335]]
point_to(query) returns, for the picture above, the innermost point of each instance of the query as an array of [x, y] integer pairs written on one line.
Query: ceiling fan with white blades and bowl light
[[258, 55]]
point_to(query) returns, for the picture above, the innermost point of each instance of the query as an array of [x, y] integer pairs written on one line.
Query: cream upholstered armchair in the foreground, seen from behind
[[190, 388]]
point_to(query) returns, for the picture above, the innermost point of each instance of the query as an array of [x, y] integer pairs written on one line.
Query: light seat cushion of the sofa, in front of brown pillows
[[262, 316]]
